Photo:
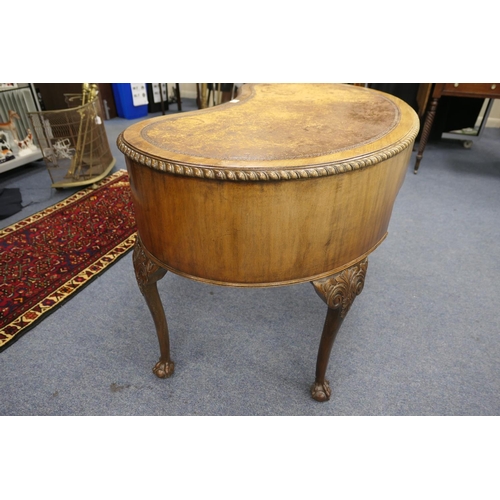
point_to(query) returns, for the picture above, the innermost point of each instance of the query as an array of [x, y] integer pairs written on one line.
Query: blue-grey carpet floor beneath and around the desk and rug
[[422, 338]]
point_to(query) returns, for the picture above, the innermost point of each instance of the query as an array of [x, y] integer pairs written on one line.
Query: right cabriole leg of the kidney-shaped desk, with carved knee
[[338, 291]]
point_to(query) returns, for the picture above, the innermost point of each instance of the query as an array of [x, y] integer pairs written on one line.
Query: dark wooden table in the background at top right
[[480, 90]]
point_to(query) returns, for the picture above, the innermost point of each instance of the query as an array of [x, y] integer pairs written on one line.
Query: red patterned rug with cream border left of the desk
[[49, 256]]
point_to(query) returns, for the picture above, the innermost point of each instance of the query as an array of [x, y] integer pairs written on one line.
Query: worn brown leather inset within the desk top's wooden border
[[286, 130]]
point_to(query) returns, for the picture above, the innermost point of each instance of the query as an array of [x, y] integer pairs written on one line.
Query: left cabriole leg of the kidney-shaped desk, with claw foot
[[147, 274]]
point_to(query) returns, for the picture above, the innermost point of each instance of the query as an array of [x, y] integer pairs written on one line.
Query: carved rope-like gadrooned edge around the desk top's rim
[[268, 174]]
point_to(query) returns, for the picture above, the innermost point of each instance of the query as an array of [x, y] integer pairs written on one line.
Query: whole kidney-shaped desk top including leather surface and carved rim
[[276, 128]]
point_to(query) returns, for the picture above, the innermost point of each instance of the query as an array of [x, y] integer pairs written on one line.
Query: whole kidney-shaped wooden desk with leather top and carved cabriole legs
[[288, 183]]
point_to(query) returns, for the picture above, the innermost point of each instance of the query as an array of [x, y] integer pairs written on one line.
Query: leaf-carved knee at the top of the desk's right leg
[[340, 290]]
